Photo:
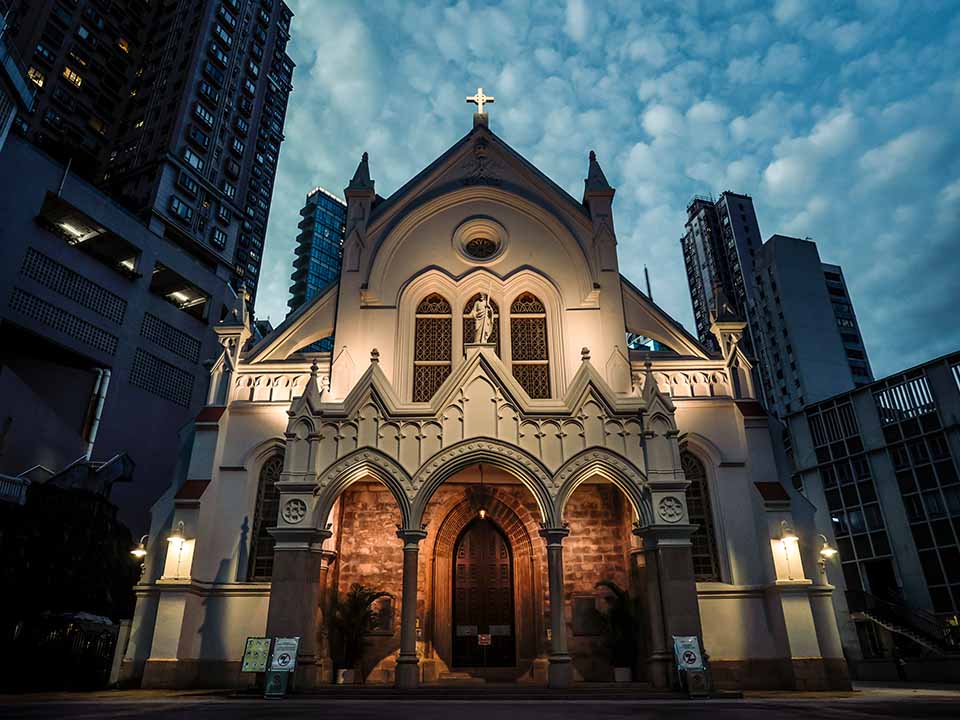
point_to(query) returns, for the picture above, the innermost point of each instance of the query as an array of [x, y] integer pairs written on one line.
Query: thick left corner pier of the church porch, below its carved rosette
[[295, 596]]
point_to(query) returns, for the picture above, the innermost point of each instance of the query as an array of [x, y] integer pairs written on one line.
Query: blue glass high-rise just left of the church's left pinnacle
[[319, 246]]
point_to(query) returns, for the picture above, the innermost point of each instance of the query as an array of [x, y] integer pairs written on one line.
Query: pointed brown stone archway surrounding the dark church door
[[519, 526]]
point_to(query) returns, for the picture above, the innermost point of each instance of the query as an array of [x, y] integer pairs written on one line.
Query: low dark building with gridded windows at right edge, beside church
[[880, 464]]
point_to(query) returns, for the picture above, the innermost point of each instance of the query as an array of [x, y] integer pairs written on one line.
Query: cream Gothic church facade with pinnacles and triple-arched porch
[[484, 445]]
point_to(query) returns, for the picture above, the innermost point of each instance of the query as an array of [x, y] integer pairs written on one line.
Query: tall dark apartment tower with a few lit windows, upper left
[[175, 108]]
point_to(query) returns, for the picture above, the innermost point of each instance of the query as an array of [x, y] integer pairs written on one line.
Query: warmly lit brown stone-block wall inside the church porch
[[369, 552]]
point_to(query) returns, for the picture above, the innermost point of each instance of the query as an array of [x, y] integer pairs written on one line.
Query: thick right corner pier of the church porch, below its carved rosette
[[671, 600]]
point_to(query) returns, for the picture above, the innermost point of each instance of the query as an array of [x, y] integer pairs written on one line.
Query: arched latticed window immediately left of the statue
[[433, 346]]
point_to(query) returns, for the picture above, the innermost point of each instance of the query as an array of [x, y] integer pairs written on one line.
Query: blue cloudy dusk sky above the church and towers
[[841, 120]]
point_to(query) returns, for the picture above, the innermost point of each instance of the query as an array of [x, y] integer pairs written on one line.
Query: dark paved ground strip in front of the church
[[875, 703]]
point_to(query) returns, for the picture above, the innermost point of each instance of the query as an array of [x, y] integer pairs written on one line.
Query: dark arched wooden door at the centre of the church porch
[[484, 627]]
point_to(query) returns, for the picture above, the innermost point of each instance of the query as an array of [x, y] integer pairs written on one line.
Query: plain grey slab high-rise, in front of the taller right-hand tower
[[806, 336]]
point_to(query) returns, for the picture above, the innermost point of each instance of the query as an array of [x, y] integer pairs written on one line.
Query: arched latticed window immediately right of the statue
[[528, 340]]
